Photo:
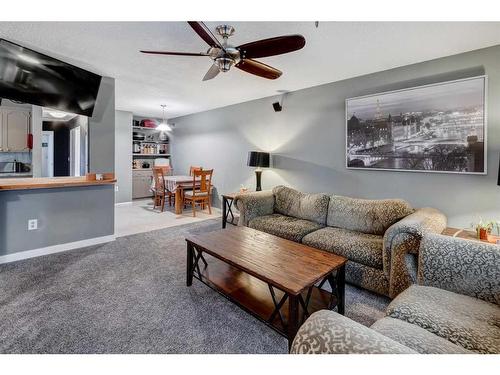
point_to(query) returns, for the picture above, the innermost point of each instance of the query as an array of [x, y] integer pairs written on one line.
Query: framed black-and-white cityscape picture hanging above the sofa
[[433, 128]]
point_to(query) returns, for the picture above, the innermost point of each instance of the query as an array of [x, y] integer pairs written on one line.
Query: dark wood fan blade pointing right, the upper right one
[[272, 46]]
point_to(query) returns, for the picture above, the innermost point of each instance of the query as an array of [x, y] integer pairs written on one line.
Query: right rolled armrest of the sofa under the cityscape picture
[[401, 243]]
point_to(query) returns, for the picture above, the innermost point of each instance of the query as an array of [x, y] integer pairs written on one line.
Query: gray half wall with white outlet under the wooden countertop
[[64, 215]]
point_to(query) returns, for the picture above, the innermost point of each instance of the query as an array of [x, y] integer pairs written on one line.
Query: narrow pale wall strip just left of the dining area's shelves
[[123, 156]]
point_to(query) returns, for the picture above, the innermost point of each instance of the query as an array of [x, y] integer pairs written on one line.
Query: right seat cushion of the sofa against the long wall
[[359, 247]]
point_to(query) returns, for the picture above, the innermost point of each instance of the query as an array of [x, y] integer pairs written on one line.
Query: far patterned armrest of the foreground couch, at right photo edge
[[462, 266]]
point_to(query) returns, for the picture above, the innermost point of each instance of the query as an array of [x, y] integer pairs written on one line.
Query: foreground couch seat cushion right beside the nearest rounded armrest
[[416, 337]]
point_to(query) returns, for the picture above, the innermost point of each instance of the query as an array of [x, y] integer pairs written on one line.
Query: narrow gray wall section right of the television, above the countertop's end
[[102, 129]]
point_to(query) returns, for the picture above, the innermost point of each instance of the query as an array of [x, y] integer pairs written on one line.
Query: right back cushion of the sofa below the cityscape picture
[[366, 215]]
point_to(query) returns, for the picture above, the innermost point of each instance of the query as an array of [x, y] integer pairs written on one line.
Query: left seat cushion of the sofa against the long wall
[[287, 227]]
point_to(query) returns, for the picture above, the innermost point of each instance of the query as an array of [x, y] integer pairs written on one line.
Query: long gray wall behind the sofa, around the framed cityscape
[[307, 140]]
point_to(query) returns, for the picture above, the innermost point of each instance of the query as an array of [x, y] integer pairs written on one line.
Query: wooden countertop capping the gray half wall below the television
[[55, 182]]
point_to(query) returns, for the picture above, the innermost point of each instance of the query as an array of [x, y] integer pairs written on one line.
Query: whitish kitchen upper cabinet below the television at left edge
[[14, 129]]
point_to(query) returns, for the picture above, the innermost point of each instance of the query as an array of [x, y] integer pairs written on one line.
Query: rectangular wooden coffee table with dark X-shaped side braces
[[276, 280]]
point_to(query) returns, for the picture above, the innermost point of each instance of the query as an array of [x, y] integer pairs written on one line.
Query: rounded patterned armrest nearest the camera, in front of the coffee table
[[326, 332]]
